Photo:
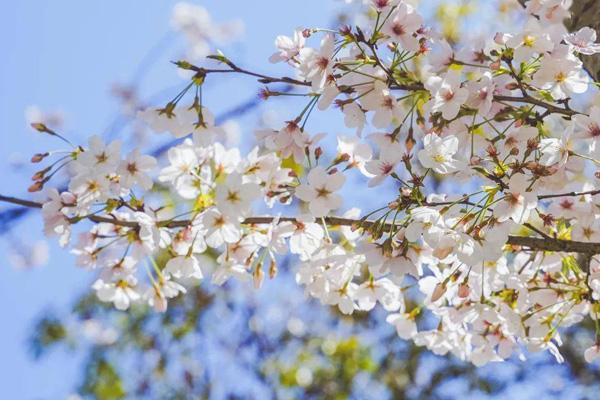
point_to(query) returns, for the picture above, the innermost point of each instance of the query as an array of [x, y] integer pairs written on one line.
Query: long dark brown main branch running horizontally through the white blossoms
[[533, 243]]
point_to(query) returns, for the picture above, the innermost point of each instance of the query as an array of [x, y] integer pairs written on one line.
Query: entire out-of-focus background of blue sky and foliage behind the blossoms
[[85, 67]]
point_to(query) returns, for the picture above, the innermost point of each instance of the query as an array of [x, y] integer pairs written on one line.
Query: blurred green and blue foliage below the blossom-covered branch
[[237, 344]]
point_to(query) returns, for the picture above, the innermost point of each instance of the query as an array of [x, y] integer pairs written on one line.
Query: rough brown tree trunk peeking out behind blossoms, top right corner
[[586, 13]]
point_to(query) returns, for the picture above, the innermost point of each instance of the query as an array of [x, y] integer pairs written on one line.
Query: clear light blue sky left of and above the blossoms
[[66, 55]]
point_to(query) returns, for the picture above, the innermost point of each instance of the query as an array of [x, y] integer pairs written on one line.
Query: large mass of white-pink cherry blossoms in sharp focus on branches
[[495, 267]]
